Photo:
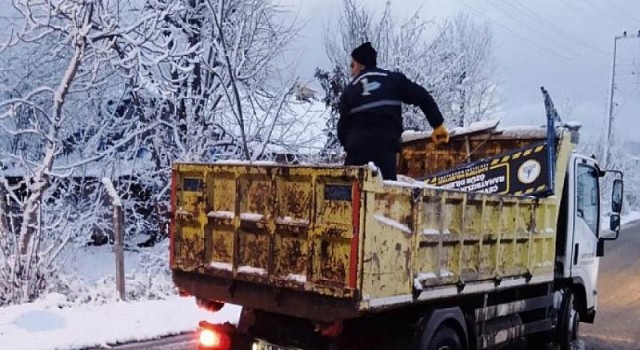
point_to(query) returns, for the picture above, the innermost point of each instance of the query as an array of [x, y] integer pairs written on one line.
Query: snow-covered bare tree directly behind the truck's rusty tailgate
[[220, 89]]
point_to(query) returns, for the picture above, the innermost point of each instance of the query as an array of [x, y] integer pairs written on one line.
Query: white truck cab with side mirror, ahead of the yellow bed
[[581, 237]]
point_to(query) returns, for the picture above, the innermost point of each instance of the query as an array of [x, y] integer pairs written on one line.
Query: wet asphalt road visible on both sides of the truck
[[617, 325]]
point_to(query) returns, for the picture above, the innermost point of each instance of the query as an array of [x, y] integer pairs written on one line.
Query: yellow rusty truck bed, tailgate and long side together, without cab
[[328, 243]]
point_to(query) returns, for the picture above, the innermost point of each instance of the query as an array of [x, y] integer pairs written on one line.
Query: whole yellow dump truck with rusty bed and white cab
[[489, 240]]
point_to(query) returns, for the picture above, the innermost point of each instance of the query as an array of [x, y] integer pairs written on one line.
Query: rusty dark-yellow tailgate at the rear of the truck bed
[[285, 227]]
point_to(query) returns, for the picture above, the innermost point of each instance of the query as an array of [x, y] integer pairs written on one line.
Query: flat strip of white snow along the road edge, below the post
[[44, 325]]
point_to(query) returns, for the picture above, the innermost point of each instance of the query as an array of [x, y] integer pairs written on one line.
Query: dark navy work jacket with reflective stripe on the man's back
[[371, 109]]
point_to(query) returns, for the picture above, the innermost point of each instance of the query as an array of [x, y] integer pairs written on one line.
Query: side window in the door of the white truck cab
[[588, 196]]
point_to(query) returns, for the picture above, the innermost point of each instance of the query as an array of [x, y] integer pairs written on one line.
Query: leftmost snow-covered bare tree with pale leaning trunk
[[52, 129]]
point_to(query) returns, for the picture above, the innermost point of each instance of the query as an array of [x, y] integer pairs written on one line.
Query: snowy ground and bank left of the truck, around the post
[[90, 314]]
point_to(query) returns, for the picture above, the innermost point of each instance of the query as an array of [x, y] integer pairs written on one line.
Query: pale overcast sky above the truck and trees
[[567, 46]]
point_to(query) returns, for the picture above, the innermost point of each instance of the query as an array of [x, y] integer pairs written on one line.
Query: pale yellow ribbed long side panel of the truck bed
[[417, 239]]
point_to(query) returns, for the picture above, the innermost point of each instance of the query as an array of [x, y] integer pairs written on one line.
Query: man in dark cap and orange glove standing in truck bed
[[370, 124]]
